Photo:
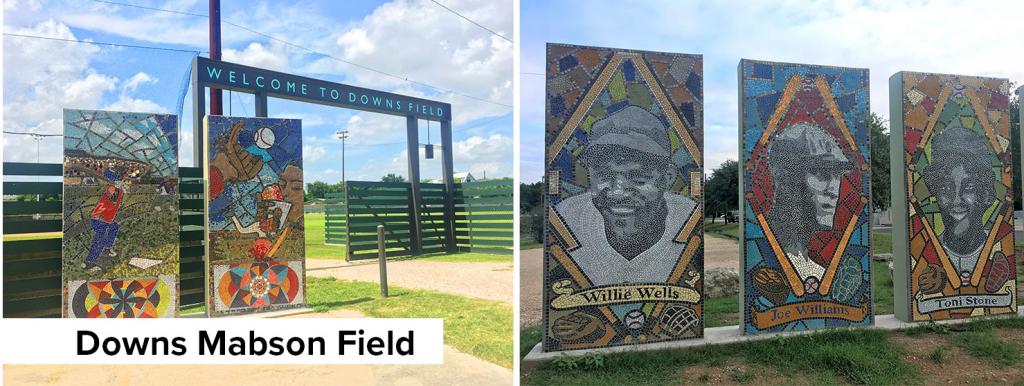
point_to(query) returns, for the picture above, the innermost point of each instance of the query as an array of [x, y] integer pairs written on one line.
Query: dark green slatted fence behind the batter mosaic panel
[[32, 268]]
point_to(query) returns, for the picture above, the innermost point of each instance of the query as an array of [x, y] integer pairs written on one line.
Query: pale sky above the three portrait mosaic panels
[[968, 38]]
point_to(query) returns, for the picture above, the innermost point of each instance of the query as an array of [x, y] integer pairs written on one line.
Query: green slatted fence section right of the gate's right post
[[490, 217]]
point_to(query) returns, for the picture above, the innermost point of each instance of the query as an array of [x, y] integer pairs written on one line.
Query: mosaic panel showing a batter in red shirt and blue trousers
[[120, 253]]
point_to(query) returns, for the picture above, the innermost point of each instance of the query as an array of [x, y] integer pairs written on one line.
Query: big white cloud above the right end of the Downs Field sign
[[430, 45]]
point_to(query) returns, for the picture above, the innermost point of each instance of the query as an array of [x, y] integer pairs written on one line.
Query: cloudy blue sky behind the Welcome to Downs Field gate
[[414, 39]]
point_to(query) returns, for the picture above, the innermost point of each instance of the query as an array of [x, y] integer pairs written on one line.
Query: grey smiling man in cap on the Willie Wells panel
[[631, 175]]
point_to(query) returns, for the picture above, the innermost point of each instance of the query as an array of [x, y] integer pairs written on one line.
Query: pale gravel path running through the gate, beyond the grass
[[484, 281]]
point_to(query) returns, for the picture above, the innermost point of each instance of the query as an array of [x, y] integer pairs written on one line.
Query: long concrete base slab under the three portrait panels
[[730, 335]]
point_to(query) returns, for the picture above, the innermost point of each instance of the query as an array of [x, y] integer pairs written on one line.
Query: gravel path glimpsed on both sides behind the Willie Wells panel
[[718, 253]]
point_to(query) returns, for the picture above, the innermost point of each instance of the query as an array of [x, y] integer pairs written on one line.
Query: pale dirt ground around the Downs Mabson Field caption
[[459, 369]]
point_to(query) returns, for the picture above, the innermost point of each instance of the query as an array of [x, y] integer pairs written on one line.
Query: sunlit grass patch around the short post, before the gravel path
[[480, 328]]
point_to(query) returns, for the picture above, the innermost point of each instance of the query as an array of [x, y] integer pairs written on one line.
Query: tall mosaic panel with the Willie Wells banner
[[624, 260]]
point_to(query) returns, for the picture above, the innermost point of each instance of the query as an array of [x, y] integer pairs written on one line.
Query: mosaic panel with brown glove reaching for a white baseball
[[257, 241]]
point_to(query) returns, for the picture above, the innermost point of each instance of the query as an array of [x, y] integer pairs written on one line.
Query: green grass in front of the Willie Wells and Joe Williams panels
[[836, 357]]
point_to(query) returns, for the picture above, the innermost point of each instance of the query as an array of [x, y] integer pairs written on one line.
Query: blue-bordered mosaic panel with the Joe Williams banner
[[806, 220]]
